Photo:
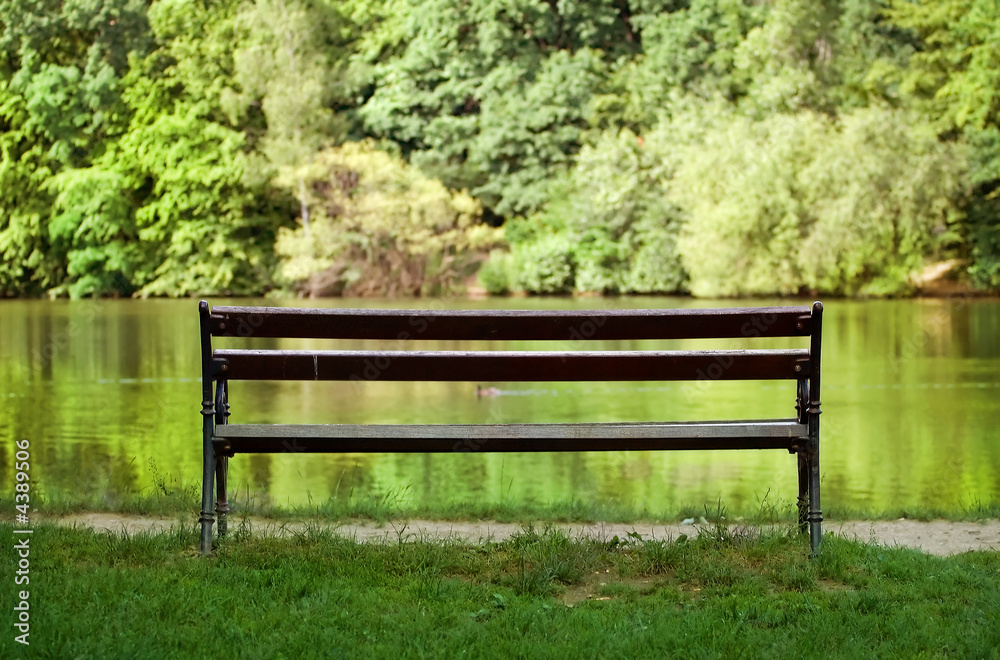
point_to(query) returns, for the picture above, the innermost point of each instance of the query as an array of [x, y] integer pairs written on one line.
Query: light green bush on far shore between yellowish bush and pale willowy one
[[610, 226]]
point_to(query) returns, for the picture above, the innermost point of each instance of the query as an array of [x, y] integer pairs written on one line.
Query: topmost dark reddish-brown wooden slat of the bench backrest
[[467, 325]]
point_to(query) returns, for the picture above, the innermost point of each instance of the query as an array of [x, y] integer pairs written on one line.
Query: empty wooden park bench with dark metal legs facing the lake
[[798, 434]]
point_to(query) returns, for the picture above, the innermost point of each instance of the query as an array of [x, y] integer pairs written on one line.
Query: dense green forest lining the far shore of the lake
[[718, 147]]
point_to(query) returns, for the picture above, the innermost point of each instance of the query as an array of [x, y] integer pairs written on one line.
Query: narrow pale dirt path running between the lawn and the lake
[[937, 537]]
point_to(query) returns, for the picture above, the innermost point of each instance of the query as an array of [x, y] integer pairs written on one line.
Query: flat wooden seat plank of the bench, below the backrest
[[420, 438]]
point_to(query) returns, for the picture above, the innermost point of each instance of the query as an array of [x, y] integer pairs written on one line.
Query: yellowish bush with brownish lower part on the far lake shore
[[382, 227]]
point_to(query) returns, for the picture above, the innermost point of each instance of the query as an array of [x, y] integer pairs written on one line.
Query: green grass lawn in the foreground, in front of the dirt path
[[732, 592]]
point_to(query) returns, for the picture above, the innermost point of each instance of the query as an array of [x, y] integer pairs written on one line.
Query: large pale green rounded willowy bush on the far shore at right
[[799, 202]]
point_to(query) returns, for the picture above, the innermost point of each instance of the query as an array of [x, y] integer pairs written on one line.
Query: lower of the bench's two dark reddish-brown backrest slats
[[513, 366]]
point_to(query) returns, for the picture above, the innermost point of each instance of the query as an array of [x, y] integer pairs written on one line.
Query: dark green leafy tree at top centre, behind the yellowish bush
[[493, 95]]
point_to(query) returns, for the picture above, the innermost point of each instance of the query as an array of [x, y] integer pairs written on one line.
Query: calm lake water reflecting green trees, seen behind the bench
[[107, 392]]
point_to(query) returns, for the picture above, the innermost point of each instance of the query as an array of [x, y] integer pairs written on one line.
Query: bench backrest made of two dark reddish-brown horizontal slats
[[576, 327]]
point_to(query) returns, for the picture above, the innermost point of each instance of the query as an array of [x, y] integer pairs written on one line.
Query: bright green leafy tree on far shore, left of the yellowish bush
[[203, 218]]
